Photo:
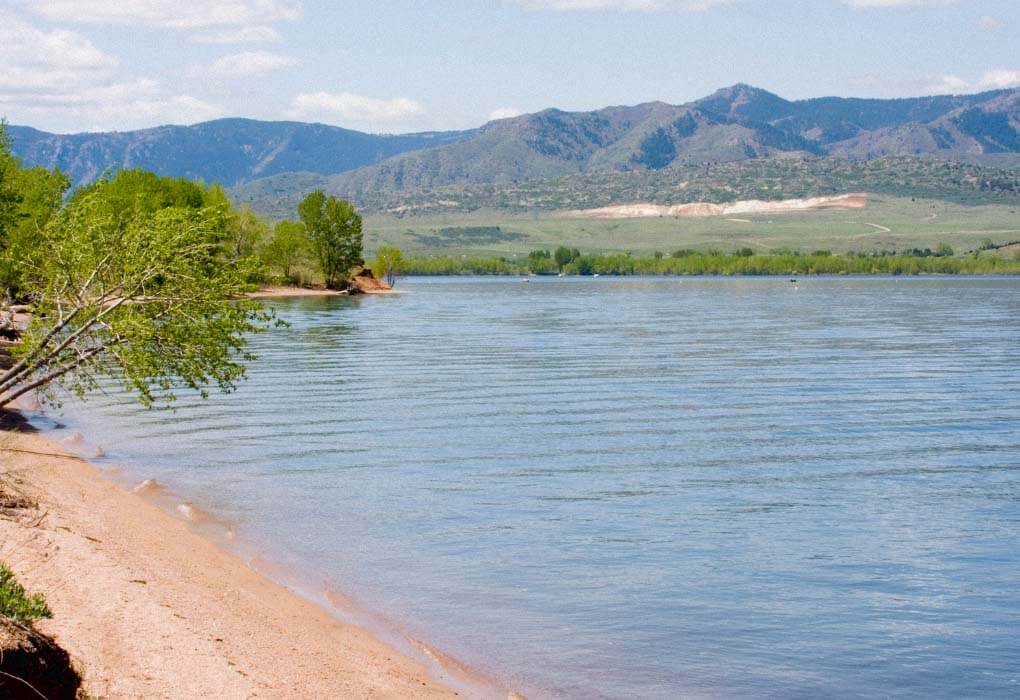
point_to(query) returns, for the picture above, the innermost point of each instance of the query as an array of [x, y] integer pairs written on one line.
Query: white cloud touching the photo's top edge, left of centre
[[172, 14]]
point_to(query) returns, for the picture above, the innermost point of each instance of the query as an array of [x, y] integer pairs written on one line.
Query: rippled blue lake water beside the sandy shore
[[634, 487]]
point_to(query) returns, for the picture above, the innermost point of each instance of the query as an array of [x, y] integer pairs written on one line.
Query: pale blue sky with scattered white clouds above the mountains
[[397, 66]]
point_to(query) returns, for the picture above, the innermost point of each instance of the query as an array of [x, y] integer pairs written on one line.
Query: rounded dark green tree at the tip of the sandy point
[[335, 231]]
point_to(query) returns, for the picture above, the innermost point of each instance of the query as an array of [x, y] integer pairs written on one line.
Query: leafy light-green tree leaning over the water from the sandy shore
[[124, 288]]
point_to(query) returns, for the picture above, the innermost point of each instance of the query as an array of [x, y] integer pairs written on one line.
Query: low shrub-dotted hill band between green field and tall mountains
[[766, 179]]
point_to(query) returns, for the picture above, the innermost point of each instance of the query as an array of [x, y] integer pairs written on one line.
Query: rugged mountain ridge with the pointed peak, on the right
[[735, 124]]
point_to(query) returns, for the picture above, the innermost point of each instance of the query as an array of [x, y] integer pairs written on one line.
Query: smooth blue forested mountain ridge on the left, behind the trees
[[227, 152]]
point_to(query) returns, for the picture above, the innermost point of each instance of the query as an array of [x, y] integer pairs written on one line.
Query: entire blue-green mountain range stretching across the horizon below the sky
[[736, 124]]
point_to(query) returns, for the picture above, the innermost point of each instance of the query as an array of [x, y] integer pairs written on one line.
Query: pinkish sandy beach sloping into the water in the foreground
[[149, 608]]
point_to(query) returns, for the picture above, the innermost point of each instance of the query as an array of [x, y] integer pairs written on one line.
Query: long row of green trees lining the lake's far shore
[[742, 263]]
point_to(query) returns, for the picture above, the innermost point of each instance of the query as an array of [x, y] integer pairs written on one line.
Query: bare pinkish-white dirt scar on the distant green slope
[[854, 201]]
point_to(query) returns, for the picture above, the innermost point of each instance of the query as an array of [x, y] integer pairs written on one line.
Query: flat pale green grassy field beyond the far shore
[[921, 224]]
